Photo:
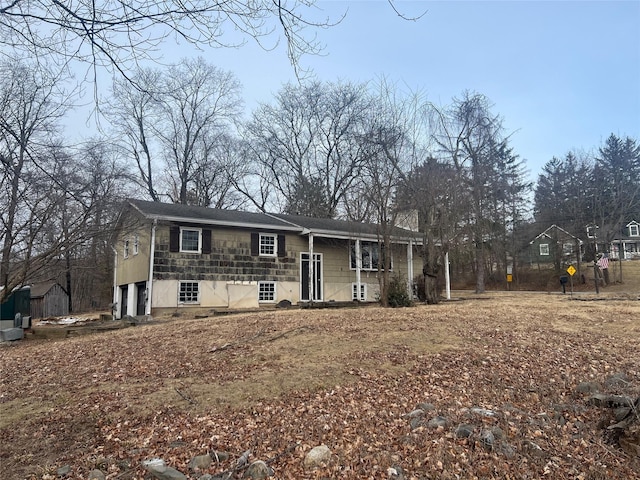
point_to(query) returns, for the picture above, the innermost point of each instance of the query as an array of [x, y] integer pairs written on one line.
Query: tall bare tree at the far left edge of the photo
[[30, 104]]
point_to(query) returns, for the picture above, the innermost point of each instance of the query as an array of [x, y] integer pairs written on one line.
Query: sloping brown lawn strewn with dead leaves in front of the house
[[285, 381]]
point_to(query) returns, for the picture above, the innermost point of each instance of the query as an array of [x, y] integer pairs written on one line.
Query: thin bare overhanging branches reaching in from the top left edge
[[118, 35]]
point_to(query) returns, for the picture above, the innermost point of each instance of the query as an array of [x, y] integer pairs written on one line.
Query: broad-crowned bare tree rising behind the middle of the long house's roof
[[307, 145]]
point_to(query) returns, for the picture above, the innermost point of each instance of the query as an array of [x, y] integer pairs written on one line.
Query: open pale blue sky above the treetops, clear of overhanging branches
[[563, 75]]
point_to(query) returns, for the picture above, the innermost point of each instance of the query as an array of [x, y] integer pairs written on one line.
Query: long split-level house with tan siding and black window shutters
[[171, 256]]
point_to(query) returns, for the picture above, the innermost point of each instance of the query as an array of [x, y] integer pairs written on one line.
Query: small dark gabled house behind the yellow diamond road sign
[[555, 246]]
